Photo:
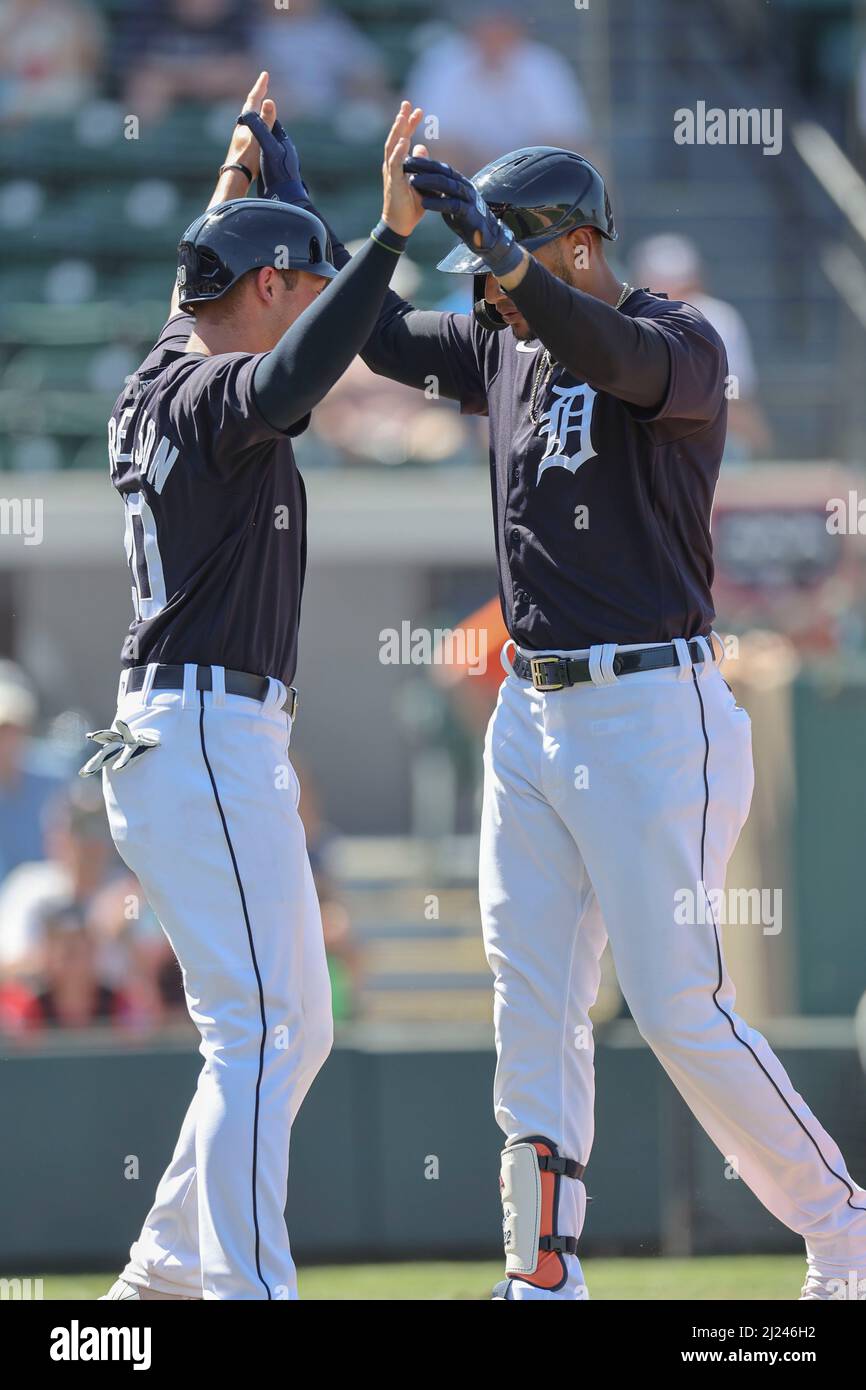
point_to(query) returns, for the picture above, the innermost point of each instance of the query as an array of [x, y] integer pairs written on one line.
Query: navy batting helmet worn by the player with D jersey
[[540, 193]]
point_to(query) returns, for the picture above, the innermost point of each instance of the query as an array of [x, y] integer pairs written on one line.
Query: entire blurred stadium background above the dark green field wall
[[115, 117]]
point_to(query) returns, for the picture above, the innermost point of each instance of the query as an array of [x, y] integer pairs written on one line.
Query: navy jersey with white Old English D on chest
[[601, 508]]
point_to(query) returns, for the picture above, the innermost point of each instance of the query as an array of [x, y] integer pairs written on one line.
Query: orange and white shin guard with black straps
[[532, 1174]]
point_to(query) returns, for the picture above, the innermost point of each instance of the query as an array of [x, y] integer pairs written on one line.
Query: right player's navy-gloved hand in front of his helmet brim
[[443, 190]]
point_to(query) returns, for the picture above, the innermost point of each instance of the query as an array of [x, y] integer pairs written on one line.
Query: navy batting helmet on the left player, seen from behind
[[245, 234]]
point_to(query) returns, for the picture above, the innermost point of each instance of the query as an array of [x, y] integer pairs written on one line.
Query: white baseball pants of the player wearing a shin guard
[[603, 804]]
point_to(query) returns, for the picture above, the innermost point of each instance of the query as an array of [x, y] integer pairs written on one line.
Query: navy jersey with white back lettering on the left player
[[215, 511]]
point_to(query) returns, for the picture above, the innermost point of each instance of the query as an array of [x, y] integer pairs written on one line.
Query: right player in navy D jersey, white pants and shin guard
[[618, 764]]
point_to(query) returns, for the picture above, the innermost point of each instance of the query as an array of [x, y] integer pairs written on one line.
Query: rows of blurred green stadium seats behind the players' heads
[[88, 231]]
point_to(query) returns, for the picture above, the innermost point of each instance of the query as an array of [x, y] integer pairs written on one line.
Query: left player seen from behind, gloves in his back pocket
[[201, 794]]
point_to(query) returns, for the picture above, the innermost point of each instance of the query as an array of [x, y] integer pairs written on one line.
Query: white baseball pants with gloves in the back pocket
[[209, 824]]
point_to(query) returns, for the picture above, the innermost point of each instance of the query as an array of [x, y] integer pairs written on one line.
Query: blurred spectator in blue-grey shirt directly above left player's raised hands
[[320, 65]]
